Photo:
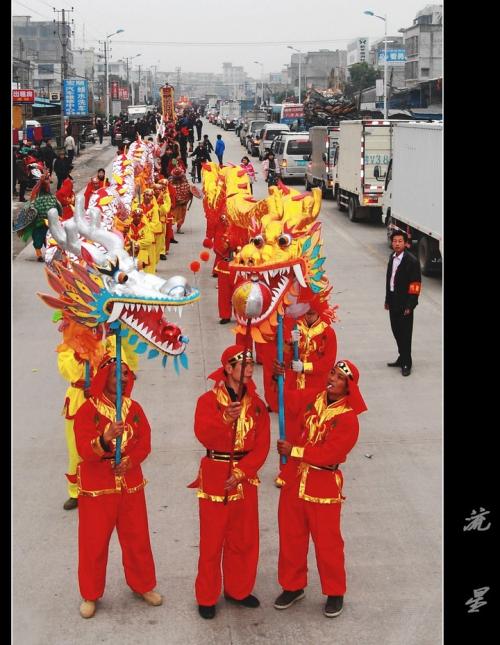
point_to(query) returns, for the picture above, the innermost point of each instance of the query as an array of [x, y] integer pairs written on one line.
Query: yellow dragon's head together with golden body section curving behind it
[[282, 257]]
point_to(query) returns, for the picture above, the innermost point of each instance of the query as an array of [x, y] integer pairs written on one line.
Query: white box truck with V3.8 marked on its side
[[362, 159]]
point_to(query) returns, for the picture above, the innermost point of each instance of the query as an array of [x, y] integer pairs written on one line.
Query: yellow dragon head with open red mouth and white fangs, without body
[[283, 257]]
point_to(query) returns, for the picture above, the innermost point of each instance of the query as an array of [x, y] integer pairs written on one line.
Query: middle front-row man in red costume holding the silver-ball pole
[[227, 490]]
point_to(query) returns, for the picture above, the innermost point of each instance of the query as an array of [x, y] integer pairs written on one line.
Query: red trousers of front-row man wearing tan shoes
[[97, 517]]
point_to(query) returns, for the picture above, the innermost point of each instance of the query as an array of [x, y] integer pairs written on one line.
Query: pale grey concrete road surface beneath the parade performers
[[393, 476]]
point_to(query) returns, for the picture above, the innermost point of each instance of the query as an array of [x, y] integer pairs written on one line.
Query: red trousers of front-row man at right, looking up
[[297, 520]]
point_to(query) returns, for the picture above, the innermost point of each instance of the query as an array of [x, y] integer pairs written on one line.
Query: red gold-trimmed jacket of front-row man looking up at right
[[322, 435]]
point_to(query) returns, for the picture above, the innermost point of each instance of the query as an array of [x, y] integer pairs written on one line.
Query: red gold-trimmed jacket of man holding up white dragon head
[[95, 475]]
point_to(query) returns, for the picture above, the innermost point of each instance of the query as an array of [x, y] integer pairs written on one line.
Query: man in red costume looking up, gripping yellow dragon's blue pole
[[324, 432]]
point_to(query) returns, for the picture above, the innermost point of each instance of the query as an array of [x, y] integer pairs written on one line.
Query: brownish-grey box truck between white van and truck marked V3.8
[[321, 171]]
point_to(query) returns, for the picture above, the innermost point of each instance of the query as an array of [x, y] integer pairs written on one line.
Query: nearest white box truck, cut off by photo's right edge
[[414, 189]]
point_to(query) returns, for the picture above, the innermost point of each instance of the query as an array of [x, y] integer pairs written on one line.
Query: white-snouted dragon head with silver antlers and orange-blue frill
[[109, 289]]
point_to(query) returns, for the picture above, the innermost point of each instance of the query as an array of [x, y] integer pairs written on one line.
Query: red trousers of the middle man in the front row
[[231, 533]]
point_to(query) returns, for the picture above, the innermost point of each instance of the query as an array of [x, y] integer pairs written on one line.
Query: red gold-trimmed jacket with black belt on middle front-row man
[[216, 433]]
